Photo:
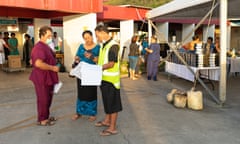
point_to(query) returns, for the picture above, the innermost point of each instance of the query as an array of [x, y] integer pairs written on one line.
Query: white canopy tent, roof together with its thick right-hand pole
[[196, 9]]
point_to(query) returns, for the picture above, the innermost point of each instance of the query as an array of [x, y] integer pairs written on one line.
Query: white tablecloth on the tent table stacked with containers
[[212, 73]]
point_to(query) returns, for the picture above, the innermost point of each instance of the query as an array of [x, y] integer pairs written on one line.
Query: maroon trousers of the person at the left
[[44, 100]]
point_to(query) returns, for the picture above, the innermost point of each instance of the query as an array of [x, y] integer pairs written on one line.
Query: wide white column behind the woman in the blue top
[[73, 26]]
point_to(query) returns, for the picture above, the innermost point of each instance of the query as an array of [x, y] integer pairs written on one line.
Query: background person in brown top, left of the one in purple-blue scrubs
[[133, 57]]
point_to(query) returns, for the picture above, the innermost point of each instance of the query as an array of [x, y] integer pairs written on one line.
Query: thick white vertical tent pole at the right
[[223, 44]]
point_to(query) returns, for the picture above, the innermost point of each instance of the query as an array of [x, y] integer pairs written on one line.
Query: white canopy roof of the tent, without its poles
[[191, 9]]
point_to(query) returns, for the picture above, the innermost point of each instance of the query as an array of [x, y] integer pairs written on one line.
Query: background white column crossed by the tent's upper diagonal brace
[[187, 29]]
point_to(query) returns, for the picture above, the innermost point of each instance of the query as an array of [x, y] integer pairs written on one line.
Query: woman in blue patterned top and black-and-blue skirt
[[87, 95]]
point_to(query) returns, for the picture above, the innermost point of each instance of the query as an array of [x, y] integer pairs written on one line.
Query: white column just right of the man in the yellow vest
[[126, 33]]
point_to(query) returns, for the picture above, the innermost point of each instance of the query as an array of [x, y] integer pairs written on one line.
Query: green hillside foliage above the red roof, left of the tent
[[145, 3]]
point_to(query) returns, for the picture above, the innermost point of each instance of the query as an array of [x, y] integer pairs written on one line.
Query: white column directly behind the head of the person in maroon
[[37, 24]]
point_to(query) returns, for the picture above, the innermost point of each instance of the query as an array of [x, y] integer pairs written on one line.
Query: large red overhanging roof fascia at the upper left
[[48, 8]]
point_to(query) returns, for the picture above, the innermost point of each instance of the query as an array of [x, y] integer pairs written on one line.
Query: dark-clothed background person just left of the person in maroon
[[27, 48]]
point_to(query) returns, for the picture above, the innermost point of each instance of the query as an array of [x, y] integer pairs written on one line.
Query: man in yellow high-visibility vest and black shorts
[[110, 87]]
